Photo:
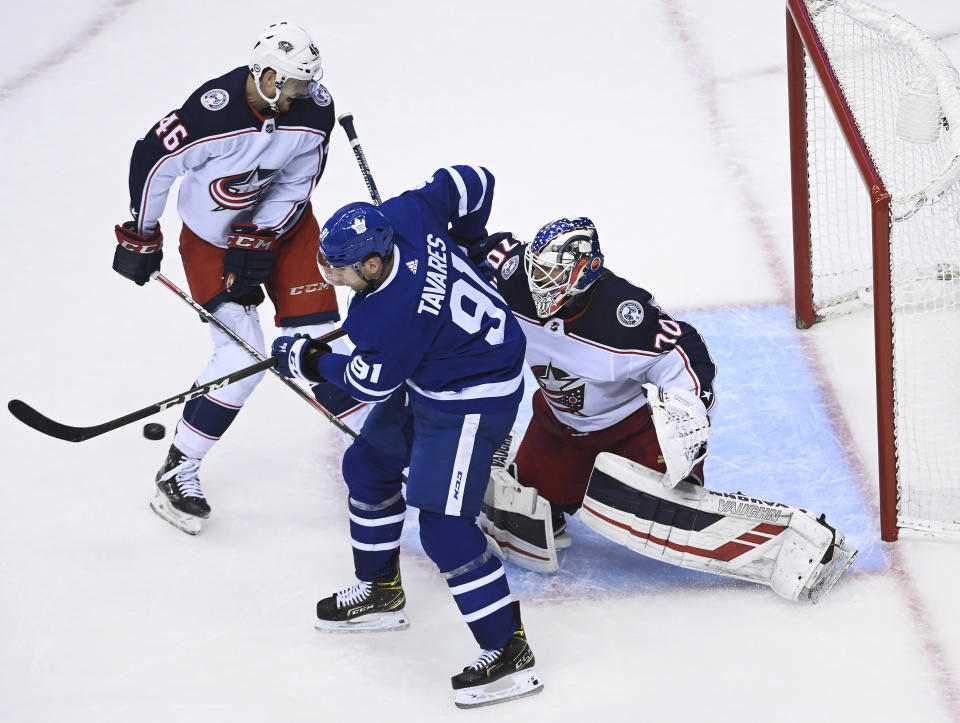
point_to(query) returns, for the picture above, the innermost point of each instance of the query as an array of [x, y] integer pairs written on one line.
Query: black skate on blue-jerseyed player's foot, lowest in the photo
[[499, 675]]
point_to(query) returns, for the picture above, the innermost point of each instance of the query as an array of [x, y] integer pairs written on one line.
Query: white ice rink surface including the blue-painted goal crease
[[665, 122]]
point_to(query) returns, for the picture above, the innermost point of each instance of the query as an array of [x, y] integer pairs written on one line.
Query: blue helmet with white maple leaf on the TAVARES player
[[353, 233]]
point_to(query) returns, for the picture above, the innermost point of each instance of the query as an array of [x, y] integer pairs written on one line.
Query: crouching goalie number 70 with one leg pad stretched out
[[620, 430]]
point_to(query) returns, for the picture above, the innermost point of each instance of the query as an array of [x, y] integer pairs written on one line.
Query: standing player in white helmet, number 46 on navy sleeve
[[250, 147]]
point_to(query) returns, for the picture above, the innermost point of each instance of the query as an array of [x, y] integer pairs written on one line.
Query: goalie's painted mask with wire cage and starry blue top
[[563, 260]]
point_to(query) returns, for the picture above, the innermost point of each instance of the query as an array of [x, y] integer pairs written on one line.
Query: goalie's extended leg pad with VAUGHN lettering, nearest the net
[[726, 534]]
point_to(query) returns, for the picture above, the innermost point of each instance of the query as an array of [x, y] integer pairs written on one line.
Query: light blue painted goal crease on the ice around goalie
[[772, 439]]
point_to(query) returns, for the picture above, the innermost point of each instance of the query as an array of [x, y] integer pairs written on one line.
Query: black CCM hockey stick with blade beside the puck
[[32, 418]]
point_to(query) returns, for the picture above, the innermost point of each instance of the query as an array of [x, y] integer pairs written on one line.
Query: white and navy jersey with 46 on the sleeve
[[237, 166]]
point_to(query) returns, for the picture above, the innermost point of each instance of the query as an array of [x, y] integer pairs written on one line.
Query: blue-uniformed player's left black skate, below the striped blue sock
[[374, 605]]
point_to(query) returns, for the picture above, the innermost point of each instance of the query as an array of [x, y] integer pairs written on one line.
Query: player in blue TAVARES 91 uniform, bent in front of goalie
[[440, 355]]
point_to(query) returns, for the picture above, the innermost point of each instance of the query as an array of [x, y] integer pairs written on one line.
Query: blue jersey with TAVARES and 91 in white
[[434, 324]]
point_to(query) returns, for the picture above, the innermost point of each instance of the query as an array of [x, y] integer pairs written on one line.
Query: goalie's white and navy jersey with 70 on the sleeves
[[591, 365]]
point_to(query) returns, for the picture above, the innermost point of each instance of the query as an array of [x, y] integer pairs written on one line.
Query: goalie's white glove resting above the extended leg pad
[[682, 427]]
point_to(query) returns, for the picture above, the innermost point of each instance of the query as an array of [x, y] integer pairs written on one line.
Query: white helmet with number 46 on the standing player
[[290, 52]]
